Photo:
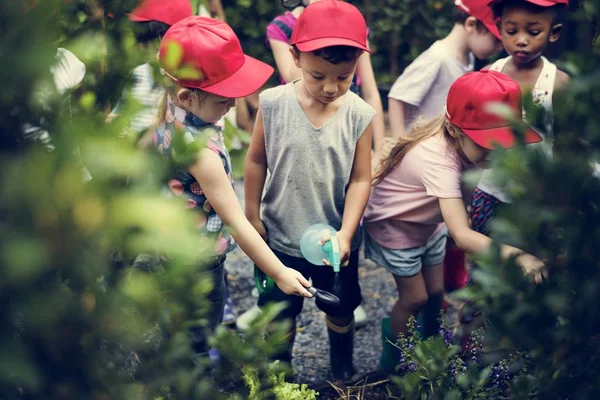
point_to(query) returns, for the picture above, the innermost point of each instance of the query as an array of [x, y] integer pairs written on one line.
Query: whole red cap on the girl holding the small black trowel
[[211, 50]]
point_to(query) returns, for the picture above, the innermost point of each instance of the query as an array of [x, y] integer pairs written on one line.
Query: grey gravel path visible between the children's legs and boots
[[311, 349]]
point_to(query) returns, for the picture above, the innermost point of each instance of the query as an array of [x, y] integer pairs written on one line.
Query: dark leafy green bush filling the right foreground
[[552, 328]]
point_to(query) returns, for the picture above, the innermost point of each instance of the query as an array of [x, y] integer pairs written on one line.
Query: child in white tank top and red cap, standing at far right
[[526, 27]]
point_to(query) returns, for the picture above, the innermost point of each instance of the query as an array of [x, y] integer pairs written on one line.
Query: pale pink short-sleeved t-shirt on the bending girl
[[403, 210]]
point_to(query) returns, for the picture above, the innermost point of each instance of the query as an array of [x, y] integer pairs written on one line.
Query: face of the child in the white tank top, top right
[[527, 31]]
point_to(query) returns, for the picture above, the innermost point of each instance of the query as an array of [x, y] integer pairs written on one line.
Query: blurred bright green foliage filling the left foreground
[[84, 315]]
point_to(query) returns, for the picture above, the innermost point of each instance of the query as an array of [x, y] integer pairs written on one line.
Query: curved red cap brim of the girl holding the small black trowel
[[245, 81]]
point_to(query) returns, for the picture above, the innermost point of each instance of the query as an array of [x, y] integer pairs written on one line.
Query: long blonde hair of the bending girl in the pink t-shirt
[[422, 131]]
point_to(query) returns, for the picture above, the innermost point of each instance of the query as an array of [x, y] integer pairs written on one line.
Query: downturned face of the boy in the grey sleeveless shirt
[[324, 81]]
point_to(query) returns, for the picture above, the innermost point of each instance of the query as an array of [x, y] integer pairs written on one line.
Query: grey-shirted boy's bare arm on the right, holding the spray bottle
[[358, 192]]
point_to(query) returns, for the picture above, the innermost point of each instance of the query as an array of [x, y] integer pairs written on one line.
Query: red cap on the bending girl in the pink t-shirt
[[467, 108]]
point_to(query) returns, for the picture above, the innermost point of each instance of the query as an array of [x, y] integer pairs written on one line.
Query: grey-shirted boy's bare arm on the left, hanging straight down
[[255, 172]]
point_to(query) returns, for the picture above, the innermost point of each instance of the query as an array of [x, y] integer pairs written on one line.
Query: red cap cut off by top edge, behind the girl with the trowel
[[168, 11]]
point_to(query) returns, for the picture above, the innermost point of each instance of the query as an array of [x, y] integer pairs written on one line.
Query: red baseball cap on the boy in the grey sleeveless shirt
[[330, 23]]
